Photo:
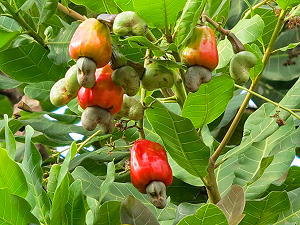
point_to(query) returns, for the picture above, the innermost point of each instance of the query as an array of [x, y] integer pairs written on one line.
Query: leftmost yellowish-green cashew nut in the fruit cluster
[[59, 96]]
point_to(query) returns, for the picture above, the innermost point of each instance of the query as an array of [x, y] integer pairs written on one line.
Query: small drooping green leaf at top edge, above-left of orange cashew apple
[[46, 8]]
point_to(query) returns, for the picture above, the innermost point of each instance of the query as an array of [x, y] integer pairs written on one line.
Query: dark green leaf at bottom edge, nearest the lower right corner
[[266, 210]]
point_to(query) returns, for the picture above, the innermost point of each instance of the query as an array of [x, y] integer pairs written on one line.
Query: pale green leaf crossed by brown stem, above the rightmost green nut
[[246, 30]]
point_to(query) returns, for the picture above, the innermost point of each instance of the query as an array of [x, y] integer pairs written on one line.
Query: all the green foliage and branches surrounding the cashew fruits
[[228, 168]]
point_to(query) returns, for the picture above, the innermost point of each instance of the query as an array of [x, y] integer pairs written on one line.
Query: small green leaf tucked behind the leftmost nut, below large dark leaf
[[41, 92]]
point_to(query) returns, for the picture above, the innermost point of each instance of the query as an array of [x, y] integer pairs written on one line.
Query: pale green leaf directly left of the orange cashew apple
[[59, 45]]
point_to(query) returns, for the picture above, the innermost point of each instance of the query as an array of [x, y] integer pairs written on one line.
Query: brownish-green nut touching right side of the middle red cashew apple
[[128, 79]]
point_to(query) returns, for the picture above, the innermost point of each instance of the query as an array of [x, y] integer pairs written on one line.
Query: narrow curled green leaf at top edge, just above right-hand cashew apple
[[187, 21]]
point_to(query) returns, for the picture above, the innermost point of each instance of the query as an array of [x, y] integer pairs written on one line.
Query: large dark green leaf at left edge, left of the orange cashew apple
[[29, 63]]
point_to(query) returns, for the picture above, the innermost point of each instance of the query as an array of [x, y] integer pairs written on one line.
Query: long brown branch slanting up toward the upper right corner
[[210, 180]]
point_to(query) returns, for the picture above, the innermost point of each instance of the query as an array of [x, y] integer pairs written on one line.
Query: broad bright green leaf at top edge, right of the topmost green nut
[[160, 13]]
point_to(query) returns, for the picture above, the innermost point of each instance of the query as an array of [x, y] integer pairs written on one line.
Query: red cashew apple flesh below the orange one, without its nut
[[105, 93]]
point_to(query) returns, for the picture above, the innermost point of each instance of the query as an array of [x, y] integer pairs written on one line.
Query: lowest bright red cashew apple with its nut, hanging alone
[[150, 171]]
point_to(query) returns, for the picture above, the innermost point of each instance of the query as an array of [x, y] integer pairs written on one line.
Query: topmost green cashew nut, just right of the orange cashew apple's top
[[129, 23]]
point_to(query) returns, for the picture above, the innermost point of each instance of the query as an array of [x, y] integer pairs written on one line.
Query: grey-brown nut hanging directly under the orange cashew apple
[[86, 72]]
